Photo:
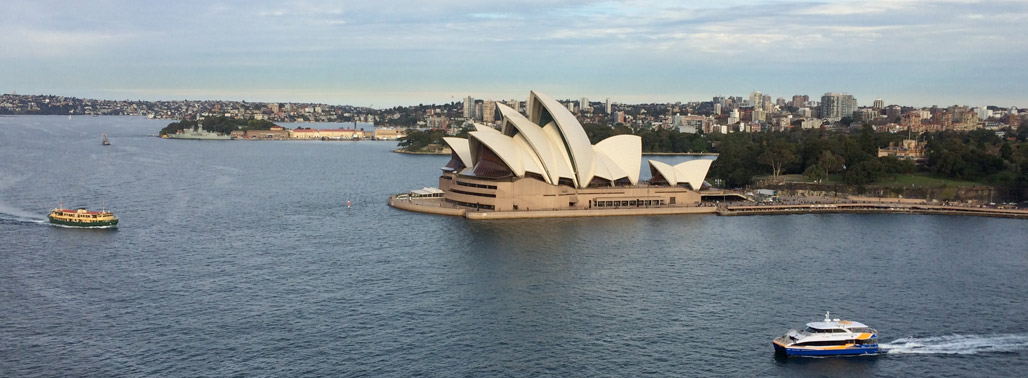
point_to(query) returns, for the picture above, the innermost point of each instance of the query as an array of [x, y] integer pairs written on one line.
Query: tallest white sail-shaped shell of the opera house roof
[[573, 136]]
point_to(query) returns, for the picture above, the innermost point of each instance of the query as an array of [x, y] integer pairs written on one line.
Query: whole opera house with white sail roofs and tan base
[[543, 166]]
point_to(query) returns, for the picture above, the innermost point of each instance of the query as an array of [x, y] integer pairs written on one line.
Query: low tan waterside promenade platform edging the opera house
[[438, 206]]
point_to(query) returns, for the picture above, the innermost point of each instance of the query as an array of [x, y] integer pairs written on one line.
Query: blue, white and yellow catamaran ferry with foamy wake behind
[[829, 337]]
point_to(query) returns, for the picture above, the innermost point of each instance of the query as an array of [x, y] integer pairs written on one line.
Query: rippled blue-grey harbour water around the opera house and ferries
[[242, 258]]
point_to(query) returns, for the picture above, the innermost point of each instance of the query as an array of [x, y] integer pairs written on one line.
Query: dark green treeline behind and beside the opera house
[[851, 158]]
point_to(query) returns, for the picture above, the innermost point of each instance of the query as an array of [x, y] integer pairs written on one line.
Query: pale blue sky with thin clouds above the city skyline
[[385, 54]]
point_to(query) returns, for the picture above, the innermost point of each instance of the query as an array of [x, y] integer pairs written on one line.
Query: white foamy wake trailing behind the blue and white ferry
[[958, 345]]
